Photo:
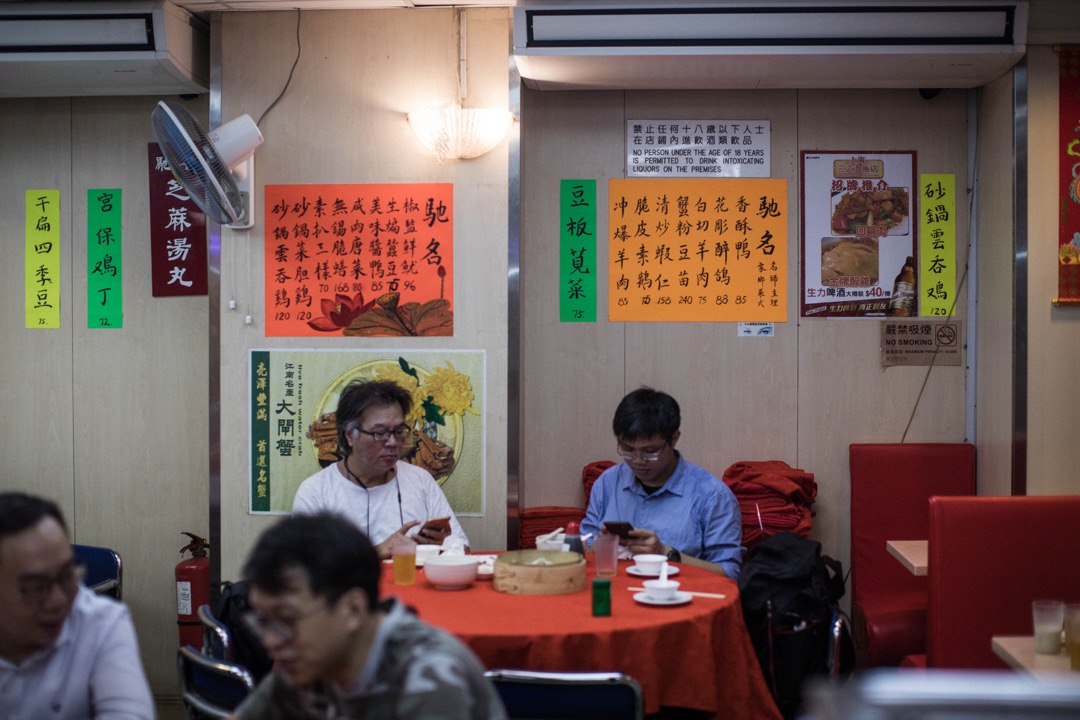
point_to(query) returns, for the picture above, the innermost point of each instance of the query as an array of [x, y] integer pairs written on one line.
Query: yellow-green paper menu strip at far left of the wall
[[43, 259]]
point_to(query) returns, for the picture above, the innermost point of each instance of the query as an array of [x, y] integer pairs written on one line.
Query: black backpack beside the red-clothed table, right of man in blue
[[790, 593]]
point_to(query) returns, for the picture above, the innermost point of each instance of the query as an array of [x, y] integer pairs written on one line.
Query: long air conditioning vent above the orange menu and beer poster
[[768, 45]]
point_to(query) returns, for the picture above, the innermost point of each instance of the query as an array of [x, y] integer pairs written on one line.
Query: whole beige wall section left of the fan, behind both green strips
[[110, 424]]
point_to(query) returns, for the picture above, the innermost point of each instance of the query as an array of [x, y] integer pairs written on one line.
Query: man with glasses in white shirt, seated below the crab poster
[[384, 496]]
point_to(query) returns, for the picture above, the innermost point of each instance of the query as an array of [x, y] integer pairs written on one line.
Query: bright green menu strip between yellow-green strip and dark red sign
[[105, 308]]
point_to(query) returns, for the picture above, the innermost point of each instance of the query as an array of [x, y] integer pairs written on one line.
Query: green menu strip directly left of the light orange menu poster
[[577, 252]]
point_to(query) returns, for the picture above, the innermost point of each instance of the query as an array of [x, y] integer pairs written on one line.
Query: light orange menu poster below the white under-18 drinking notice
[[698, 251]]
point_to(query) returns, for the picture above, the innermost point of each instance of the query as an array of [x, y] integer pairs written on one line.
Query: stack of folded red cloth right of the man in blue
[[774, 497]]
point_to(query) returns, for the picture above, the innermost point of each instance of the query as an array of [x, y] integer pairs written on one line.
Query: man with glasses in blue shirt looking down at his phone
[[677, 508]]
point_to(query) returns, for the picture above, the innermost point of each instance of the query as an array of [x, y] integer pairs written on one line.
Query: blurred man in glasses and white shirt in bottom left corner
[[65, 653]]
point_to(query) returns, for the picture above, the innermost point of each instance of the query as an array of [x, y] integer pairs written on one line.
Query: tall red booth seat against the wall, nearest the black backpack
[[892, 485]]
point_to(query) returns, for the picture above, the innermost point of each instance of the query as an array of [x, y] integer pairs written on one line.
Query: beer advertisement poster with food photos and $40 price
[[859, 228]]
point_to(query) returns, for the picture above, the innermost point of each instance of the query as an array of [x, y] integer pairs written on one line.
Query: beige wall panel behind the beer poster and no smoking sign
[[845, 395]]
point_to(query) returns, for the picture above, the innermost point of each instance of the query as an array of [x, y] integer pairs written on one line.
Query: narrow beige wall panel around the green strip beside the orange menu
[[573, 374]]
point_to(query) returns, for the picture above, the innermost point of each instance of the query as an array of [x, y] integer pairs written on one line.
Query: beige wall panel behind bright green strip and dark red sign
[[141, 404]]
